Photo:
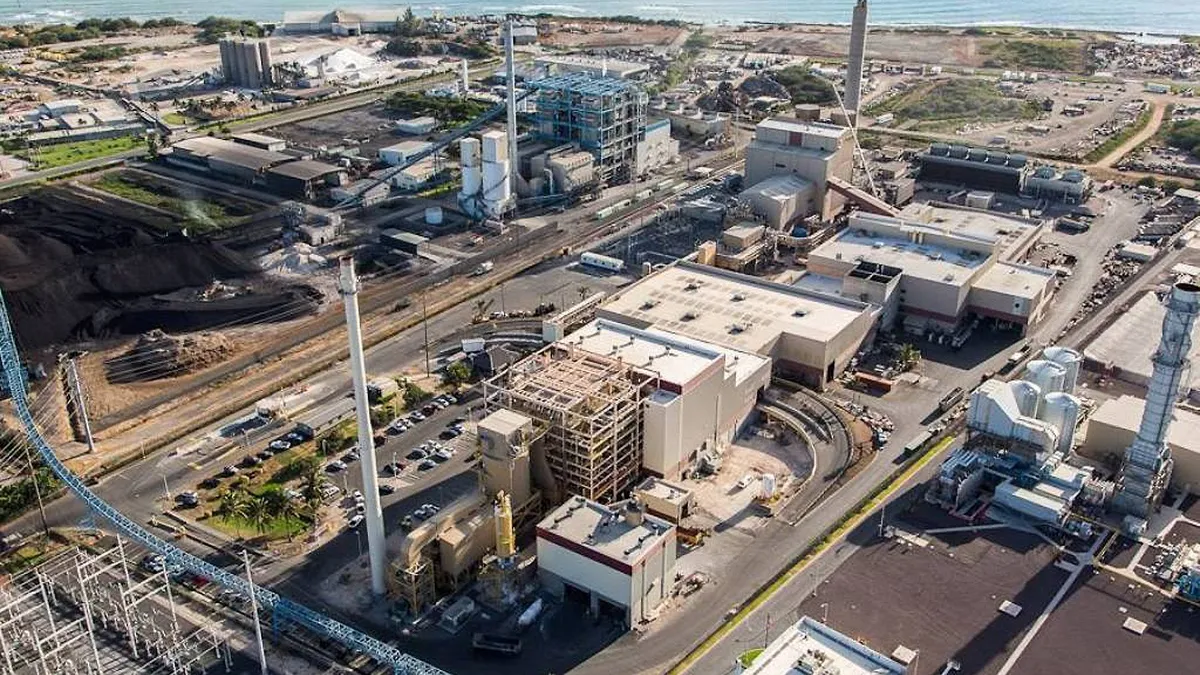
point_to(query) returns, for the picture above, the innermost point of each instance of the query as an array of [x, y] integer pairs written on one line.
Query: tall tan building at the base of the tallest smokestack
[[812, 152]]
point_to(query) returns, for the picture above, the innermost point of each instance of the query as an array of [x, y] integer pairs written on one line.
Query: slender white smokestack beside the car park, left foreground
[[349, 286]]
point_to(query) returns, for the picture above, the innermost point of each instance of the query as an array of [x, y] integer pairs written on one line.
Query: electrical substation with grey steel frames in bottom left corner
[[85, 612]]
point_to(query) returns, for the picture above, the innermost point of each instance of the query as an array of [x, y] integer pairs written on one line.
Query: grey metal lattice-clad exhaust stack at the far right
[[1148, 464]]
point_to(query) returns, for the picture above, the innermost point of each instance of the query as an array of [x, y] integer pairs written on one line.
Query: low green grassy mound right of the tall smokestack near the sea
[[953, 103]]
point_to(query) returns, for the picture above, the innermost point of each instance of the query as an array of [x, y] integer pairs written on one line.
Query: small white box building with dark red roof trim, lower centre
[[617, 559]]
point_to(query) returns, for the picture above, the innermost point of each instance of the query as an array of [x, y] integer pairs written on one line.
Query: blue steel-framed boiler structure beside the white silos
[[604, 116]]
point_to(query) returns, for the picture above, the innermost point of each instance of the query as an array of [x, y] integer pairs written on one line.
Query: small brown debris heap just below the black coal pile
[[157, 356]]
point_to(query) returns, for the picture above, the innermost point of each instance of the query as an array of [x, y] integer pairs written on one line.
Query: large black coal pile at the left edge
[[74, 267]]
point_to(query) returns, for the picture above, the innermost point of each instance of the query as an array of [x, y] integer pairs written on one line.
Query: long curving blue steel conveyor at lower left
[[284, 611]]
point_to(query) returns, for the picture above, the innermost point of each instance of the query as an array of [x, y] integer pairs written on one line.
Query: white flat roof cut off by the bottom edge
[[811, 647]]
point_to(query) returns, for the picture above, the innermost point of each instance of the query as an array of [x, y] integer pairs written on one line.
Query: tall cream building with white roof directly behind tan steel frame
[[698, 395]]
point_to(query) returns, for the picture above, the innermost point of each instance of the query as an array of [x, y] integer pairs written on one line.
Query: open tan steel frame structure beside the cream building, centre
[[591, 409]]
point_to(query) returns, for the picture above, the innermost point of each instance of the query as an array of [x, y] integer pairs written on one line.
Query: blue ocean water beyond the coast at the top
[[1150, 16]]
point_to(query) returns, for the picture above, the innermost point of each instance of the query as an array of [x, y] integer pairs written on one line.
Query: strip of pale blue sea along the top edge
[[1073, 15]]
